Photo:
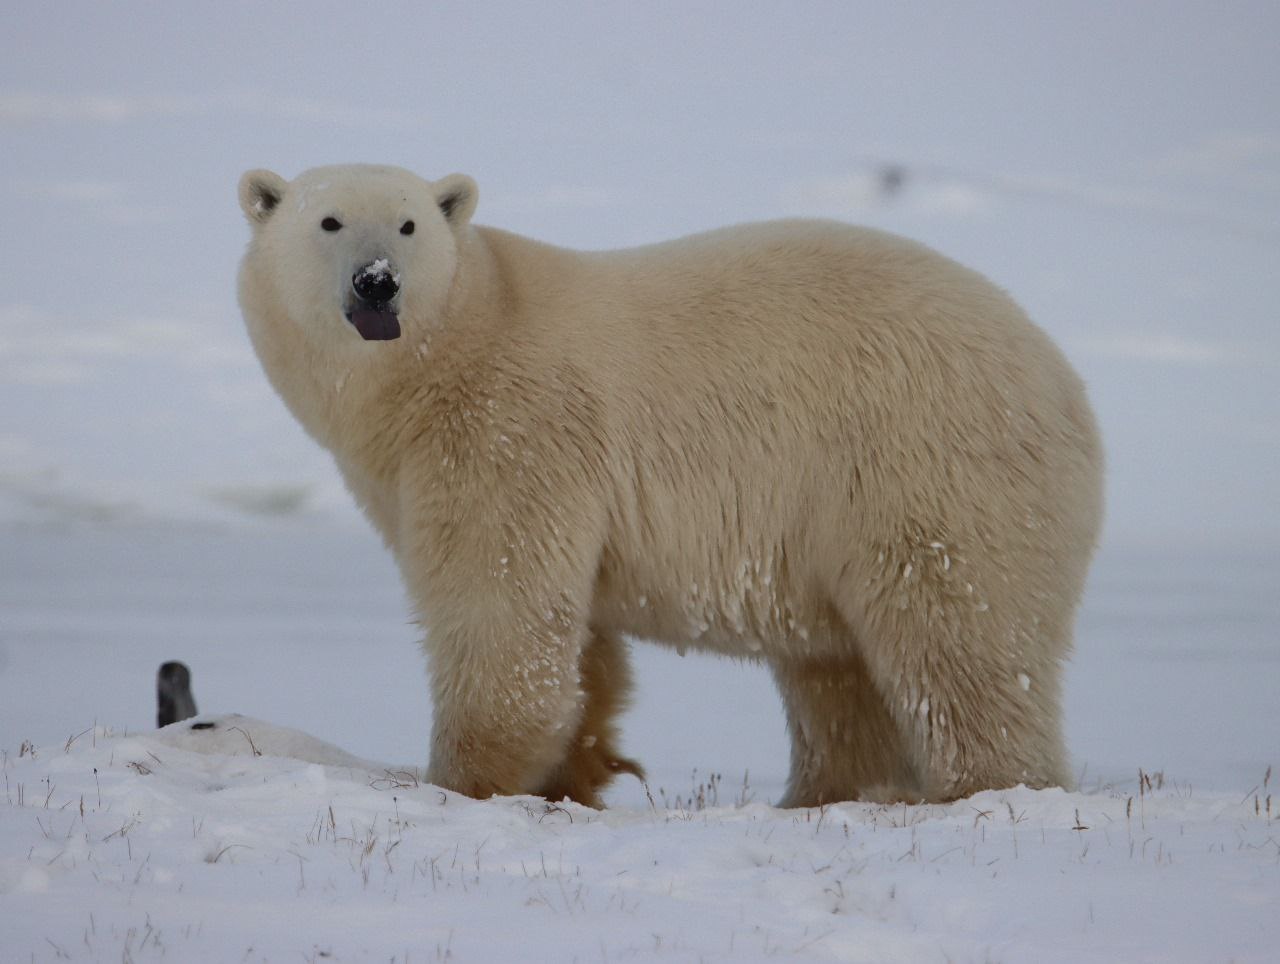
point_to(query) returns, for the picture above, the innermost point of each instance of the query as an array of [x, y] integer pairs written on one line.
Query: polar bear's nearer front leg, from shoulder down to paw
[[502, 520]]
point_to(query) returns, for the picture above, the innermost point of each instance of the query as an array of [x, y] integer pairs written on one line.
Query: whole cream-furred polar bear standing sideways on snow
[[816, 446]]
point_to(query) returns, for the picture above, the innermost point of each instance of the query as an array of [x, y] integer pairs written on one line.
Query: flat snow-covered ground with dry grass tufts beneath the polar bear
[[258, 842]]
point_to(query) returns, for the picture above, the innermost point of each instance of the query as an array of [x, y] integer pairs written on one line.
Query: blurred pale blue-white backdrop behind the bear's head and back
[[1116, 167]]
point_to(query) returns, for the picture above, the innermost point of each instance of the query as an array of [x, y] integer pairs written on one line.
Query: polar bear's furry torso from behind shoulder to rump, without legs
[[806, 406]]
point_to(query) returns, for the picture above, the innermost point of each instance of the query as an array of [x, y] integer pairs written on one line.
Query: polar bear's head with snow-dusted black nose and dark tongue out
[[354, 252]]
